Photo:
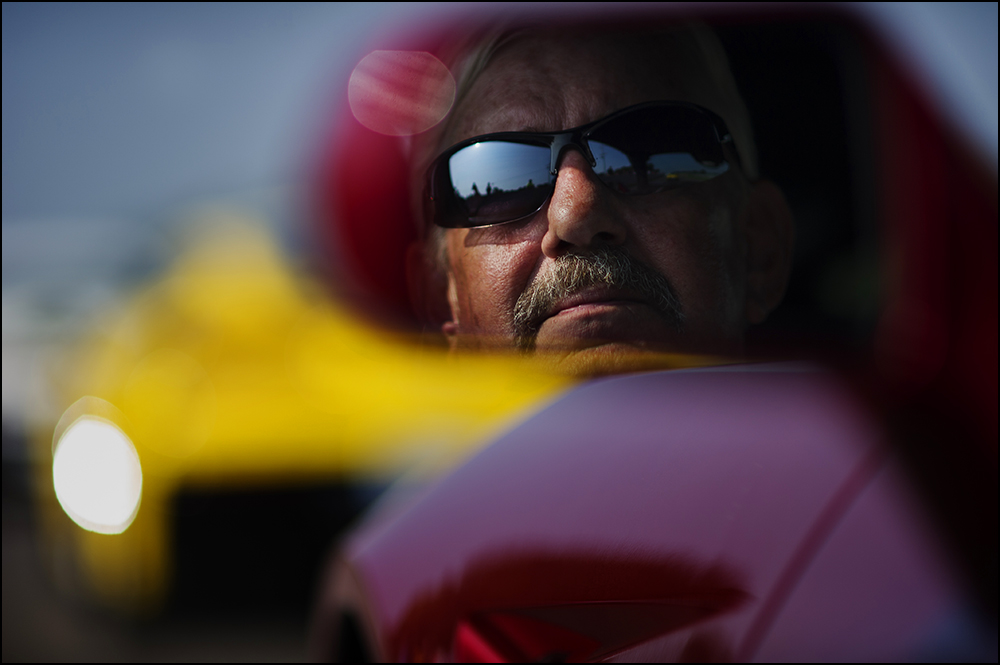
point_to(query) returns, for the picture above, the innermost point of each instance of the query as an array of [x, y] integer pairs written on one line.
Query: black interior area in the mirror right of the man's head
[[805, 86]]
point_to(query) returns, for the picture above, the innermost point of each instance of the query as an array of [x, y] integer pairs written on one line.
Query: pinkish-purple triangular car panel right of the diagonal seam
[[880, 588]]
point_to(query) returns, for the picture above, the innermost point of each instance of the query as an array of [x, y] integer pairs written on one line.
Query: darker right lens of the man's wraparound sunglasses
[[651, 149]]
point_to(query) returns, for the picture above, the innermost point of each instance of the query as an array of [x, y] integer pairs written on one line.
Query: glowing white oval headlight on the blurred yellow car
[[97, 475]]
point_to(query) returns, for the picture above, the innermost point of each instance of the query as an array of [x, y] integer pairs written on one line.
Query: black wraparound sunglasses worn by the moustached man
[[642, 149]]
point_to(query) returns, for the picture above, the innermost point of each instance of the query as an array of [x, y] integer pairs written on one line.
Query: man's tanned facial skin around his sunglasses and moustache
[[689, 238]]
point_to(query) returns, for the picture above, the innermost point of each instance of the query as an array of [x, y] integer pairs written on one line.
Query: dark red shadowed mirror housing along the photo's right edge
[[932, 372]]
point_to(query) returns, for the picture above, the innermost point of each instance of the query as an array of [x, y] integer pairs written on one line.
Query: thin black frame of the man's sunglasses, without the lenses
[[558, 143]]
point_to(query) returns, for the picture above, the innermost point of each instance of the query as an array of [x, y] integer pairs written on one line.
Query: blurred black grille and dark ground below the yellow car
[[246, 570]]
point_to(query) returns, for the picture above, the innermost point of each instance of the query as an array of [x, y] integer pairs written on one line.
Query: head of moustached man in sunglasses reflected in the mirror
[[593, 195]]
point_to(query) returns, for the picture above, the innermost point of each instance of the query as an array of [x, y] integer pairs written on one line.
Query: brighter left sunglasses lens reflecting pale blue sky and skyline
[[496, 182]]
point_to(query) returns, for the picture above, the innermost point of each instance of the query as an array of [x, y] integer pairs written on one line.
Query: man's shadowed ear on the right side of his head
[[770, 238]]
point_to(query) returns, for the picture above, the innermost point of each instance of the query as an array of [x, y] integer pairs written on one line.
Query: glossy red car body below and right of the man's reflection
[[842, 510]]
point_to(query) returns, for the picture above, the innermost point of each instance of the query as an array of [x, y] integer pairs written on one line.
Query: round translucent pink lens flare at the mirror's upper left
[[400, 93]]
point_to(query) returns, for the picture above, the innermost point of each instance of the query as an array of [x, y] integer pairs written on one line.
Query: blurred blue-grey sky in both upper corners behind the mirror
[[113, 111]]
